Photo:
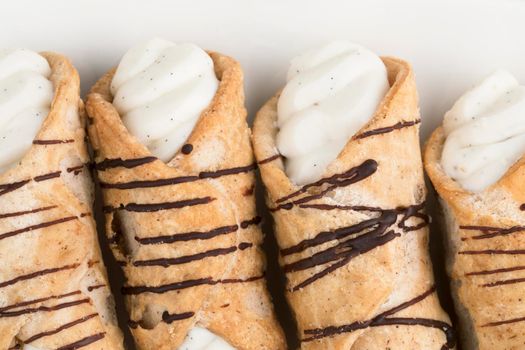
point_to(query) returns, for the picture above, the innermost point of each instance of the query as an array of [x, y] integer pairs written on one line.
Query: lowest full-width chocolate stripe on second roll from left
[[134, 290]]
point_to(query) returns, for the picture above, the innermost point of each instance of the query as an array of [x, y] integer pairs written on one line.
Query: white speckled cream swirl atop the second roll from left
[[160, 89]]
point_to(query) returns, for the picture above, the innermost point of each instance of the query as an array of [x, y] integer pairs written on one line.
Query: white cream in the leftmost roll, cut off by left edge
[[25, 98]]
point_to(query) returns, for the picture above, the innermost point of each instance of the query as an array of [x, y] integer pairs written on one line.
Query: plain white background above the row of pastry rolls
[[451, 43]]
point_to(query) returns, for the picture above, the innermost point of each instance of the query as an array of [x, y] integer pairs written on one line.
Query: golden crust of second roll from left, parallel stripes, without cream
[[194, 257]]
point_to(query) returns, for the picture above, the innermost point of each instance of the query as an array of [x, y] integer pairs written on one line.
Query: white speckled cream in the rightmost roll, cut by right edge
[[485, 132]]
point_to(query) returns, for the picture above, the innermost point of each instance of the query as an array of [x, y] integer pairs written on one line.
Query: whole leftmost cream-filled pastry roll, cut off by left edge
[[54, 292]]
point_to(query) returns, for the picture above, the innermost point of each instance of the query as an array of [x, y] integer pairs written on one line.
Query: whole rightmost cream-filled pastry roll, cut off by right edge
[[475, 161]]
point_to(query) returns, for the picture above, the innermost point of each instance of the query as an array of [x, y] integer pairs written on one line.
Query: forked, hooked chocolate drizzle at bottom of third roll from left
[[383, 319]]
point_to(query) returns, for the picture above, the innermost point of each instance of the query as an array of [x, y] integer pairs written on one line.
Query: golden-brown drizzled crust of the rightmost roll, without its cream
[[485, 253]]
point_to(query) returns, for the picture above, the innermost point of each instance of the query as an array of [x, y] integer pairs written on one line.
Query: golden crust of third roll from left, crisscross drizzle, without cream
[[355, 246]]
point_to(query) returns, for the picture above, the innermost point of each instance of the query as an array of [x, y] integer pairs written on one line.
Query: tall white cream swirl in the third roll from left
[[331, 92]]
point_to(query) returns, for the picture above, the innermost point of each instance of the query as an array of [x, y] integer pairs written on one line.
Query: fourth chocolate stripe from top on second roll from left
[[196, 235]]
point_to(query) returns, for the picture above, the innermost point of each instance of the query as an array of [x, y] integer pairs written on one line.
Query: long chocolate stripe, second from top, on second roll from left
[[178, 180]]
